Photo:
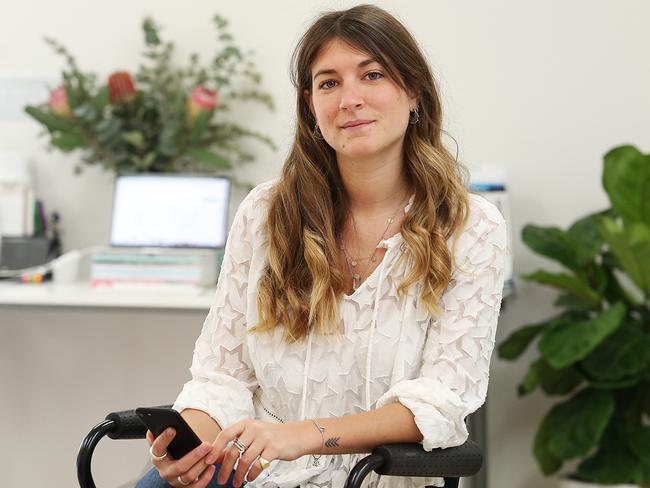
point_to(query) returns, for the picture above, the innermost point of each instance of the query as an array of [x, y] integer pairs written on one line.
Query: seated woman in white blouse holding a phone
[[359, 294]]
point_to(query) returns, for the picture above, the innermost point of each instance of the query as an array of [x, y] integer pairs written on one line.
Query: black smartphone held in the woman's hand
[[158, 419]]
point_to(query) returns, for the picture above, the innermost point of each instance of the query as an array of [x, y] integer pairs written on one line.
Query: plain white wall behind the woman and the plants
[[543, 88]]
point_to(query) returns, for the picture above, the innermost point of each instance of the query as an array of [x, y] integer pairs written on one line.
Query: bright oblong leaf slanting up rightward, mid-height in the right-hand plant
[[568, 342]]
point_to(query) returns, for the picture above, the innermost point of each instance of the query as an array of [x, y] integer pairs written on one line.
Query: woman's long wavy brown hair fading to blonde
[[304, 280]]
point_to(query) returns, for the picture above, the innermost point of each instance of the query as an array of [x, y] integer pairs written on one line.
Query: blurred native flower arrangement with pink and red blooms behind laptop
[[163, 119]]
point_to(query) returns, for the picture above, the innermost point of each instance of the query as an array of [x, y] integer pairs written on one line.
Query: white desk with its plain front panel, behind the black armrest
[[69, 355]]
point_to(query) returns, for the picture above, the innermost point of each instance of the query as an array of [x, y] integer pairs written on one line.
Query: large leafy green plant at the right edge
[[595, 353]]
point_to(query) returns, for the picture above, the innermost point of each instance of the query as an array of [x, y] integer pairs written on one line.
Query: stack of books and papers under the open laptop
[[134, 267]]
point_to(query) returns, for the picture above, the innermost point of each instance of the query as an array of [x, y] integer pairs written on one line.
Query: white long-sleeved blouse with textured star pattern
[[391, 350]]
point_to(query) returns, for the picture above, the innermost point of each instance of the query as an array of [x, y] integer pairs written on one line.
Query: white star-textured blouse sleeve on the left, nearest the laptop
[[223, 379]]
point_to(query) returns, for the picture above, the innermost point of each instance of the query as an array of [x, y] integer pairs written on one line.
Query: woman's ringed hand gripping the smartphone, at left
[[191, 470]]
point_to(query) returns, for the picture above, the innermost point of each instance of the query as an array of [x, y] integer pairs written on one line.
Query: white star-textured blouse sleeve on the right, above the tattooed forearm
[[454, 372]]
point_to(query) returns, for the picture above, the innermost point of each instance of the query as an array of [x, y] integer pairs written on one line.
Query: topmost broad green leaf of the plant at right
[[626, 178]]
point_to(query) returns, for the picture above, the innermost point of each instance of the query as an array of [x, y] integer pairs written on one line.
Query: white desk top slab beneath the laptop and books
[[83, 295]]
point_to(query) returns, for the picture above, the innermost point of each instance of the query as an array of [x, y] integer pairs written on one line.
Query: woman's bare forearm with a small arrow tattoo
[[362, 432]]
